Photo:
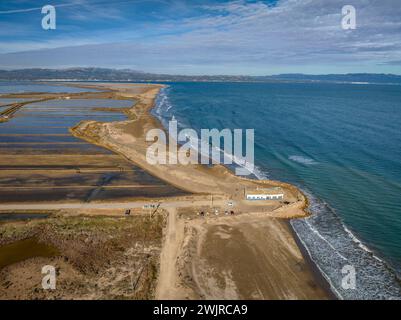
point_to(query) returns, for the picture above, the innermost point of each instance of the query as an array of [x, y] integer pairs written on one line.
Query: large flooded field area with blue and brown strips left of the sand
[[41, 161]]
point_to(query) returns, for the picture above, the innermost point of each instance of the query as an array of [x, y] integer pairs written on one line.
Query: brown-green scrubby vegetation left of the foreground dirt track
[[100, 257]]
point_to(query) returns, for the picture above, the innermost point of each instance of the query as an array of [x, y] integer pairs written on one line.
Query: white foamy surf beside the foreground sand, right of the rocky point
[[331, 246]]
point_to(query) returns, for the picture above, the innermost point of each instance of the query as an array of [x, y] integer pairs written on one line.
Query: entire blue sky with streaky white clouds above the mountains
[[235, 37]]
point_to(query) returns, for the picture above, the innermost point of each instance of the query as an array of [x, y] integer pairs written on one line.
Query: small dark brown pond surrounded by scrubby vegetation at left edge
[[25, 249]]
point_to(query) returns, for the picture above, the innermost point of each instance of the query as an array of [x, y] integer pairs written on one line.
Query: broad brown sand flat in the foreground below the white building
[[245, 257]]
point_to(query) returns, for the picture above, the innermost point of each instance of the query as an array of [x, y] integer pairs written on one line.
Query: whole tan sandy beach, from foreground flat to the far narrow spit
[[252, 255]]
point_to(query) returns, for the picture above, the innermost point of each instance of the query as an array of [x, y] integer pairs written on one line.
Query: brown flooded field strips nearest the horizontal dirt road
[[78, 179]]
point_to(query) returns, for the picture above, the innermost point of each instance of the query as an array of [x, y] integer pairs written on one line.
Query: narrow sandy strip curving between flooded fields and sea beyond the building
[[216, 179]]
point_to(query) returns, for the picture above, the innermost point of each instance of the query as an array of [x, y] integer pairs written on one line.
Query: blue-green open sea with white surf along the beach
[[339, 143]]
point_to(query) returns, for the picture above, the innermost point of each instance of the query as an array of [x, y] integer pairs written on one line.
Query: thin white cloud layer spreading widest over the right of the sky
[[238, 35]]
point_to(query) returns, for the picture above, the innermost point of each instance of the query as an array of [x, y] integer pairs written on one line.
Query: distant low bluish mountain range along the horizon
[[102, 74]]
